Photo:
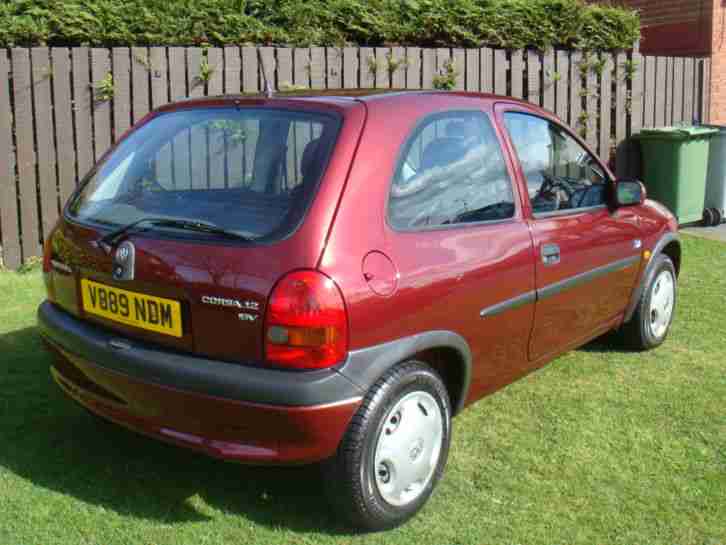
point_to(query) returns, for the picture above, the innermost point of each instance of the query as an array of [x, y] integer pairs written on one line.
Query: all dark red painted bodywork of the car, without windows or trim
[[434, 280]]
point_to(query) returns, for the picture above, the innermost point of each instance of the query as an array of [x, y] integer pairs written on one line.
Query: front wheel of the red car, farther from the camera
[[653, 316]]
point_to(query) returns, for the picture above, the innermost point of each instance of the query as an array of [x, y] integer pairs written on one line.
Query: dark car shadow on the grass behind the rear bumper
[[50, 441]]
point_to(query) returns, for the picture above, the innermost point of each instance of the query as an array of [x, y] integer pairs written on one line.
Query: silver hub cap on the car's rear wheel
[[408, 448]]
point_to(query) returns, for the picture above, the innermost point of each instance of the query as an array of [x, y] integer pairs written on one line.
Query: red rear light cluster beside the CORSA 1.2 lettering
[[306, 325]]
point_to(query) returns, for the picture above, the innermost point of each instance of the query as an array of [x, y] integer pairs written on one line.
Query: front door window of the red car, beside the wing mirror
[[560, 173]]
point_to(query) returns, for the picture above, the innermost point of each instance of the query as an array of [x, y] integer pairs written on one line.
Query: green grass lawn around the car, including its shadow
[[601, 447]]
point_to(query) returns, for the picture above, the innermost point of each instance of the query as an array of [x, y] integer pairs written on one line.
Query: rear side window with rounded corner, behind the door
[[451, 171]]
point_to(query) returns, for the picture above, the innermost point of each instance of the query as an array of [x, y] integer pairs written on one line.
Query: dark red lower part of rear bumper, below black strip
[[239, 431]]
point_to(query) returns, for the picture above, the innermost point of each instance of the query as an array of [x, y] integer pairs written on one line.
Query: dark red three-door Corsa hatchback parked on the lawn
[[331, 279]]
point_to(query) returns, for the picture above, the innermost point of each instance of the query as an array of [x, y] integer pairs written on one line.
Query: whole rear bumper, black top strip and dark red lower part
[[225, 410]]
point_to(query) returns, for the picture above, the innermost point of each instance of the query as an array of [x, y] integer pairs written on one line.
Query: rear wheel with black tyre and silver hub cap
[[394, 450]]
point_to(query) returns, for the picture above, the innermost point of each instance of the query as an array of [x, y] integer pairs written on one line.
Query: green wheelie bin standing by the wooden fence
[[675, 163]]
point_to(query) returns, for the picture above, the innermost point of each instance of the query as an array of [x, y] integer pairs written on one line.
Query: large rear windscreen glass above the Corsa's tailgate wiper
[[251, 171]]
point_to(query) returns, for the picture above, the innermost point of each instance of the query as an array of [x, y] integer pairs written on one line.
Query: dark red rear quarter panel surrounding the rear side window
[[446, 276]]
